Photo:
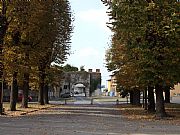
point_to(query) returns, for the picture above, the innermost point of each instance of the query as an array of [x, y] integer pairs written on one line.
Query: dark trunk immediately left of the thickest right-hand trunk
[[151, 102]]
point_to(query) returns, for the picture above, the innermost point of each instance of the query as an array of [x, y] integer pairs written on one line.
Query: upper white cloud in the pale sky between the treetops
[[97, 17]]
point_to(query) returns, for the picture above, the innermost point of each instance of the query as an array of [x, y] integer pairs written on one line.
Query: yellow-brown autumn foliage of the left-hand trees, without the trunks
[[43, 26]]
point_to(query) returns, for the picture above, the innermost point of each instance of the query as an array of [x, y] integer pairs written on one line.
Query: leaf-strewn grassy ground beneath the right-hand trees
[[138, 113]]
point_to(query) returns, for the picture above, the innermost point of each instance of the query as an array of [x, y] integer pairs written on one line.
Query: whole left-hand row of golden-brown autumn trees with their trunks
[[33, 34]]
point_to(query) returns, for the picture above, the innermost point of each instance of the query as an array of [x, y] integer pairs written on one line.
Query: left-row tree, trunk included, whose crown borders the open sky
[[58, 29]]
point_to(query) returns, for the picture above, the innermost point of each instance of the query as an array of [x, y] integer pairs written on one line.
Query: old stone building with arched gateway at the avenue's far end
[[80, 83]]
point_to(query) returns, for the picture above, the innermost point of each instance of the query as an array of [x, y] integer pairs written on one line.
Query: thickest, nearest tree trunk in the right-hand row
[[160, 109]]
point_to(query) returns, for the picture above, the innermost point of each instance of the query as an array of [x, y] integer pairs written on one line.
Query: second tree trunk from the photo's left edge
[[14, 93]]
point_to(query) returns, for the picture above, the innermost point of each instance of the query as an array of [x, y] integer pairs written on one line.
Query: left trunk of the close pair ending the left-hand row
[[41, 84]]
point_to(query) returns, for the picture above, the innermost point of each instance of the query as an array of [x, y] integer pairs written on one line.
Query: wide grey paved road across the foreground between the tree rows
[[81, 120]]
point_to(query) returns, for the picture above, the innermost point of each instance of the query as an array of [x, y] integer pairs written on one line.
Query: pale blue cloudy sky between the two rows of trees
[[90, 36]]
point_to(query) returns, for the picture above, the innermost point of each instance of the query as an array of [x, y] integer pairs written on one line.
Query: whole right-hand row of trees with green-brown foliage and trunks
[[145, 50]]
